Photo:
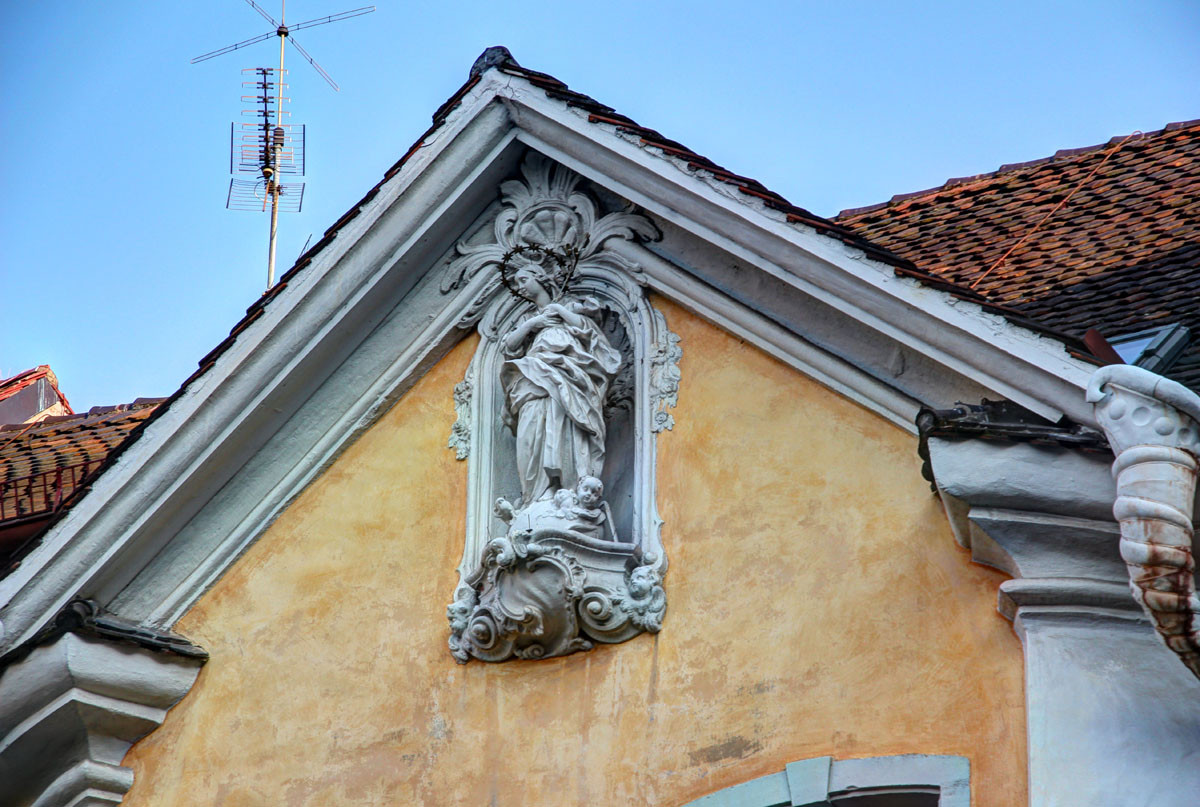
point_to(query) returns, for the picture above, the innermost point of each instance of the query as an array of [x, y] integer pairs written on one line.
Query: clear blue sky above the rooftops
[[122, 267]]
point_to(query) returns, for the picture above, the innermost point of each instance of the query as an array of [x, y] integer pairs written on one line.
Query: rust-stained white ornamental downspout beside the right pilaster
[[1154, 427]]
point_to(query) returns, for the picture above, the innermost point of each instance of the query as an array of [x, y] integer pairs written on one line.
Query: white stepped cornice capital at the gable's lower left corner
[[70, 712]]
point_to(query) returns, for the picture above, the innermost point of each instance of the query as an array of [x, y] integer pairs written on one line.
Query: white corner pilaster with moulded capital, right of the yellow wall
[[1113, 719]]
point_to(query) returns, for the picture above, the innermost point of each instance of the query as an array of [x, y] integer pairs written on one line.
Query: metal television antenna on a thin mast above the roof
[[268, 146]]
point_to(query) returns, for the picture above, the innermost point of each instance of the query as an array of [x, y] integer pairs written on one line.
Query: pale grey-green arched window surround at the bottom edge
[[902, 781]]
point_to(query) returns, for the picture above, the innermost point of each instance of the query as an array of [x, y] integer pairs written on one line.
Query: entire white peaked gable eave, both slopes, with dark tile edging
[[364, 314]]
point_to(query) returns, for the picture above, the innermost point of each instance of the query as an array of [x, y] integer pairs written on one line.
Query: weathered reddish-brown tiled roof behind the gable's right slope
[[1120, 256]]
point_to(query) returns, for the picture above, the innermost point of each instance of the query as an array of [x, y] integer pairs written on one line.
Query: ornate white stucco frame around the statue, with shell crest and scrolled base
[[610, 593]]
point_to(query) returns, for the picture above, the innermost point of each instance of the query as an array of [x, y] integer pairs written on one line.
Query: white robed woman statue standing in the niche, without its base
[[555, 379]]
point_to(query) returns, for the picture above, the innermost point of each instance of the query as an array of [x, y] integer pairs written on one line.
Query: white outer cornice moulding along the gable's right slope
[[1016, 363]]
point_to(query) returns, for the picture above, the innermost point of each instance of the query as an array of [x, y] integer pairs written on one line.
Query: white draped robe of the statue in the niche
[[555, 393]]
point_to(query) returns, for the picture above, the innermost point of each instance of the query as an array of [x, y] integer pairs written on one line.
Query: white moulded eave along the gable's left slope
[[130, 524]]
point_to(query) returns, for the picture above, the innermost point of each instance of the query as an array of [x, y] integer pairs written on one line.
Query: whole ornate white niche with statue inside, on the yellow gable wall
[[559, 416]]
